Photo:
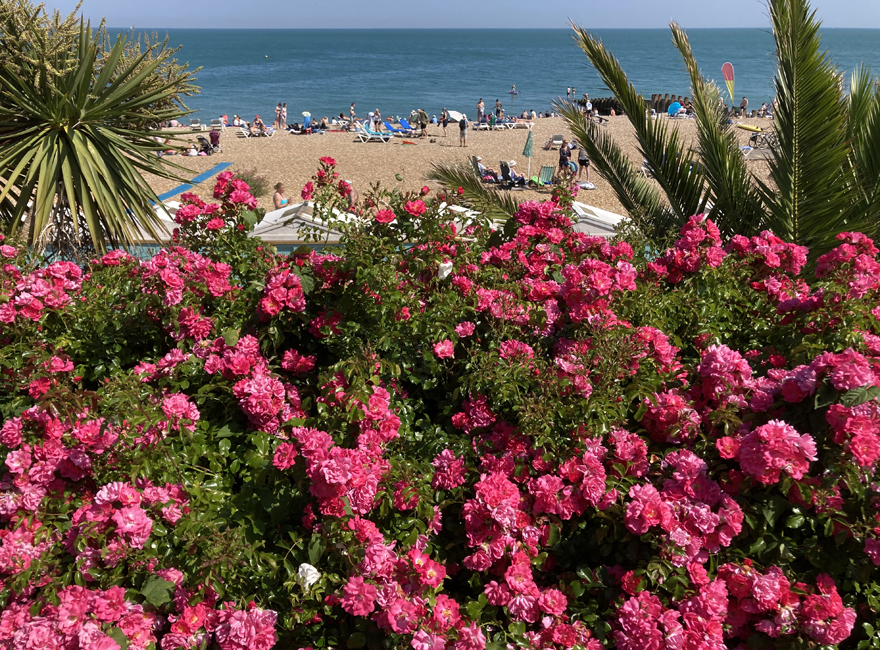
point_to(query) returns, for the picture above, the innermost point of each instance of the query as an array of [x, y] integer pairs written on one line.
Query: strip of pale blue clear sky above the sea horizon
[[456, 13]]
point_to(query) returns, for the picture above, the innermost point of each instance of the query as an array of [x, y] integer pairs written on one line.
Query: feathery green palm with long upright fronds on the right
[[824, 171]]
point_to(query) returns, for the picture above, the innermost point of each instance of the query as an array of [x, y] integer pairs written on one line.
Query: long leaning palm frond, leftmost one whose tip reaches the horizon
[[673, 165]]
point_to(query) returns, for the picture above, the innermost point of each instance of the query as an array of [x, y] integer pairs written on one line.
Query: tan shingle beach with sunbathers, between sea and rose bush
[[292, 159]]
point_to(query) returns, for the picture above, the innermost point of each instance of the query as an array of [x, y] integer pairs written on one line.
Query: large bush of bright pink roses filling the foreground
[[440, 435]]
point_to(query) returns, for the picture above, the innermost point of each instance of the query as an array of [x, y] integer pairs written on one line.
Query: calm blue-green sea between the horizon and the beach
[[248, 72]]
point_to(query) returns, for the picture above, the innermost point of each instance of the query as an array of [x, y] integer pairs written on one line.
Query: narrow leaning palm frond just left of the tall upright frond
[[736, 204]]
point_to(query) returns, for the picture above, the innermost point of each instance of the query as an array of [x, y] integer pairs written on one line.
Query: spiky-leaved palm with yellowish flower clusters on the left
[[75, 142]]
